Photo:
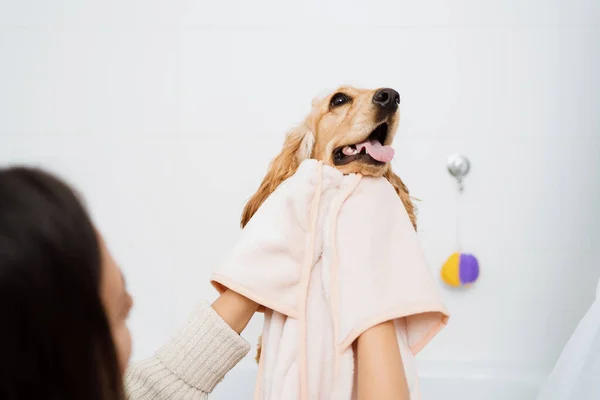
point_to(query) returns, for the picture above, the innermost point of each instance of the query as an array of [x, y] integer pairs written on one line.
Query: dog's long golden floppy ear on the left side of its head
[[298, 146]]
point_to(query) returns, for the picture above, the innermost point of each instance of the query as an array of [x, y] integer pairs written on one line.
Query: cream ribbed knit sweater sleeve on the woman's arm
[[191, 364]]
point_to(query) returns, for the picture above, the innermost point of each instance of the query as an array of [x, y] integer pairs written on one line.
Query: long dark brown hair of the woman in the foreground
[[55, 339]]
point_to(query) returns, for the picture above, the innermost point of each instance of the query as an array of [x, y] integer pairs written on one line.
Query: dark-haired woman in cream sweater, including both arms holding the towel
[[64, 307]]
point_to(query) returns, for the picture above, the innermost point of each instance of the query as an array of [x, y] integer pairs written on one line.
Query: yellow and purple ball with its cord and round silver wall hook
[[460, 269]]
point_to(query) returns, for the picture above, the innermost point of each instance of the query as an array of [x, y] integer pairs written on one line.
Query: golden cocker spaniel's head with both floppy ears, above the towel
[[350, 129]]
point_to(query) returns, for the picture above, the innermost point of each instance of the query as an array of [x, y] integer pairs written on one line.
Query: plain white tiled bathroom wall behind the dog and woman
[[165, 115]]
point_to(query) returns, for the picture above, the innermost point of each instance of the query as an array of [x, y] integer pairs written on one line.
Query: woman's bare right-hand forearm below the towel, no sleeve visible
[[379, 368]]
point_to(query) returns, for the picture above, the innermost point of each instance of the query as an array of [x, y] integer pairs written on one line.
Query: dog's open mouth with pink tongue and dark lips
[[371, 150]]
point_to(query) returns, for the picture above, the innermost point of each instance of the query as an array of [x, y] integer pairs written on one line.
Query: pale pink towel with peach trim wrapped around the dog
[[329, 256]]
